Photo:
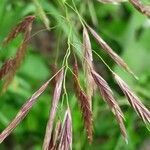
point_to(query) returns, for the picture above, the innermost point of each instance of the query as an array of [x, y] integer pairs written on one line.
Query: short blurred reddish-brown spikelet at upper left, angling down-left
[[20, 28]]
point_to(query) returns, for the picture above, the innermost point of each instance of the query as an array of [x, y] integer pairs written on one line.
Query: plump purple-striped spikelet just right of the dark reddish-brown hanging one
[[107, 95]]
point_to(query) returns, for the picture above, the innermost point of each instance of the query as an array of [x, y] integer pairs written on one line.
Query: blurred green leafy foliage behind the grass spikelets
[[125, 29]]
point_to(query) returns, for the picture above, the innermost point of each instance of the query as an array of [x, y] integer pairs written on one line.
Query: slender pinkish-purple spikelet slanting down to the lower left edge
[[23, 112]]
